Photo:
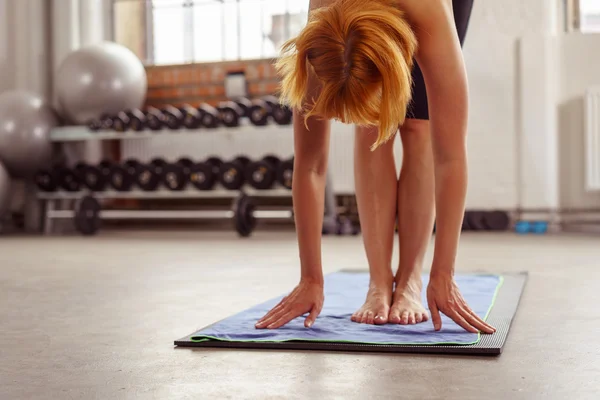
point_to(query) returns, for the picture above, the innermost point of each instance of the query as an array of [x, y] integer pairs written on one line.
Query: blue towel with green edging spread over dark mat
[[344, 294]]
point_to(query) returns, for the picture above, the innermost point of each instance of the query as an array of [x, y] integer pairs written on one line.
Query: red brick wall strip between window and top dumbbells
[[197, 83]]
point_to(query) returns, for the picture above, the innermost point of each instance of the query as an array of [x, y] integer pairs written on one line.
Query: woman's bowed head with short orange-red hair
[[361, 51]]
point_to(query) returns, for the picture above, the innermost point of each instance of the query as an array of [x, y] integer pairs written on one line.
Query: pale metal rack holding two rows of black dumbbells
[[61, 204]]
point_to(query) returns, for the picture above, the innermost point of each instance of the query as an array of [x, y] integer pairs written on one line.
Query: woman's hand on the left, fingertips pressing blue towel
[[307, 297]]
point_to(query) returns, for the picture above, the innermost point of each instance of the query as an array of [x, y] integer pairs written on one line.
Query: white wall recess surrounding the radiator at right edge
[[580, 68]]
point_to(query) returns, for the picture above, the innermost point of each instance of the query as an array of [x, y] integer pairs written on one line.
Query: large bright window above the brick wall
[[184, 31]]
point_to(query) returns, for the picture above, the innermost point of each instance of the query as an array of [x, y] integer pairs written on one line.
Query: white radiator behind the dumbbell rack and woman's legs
[[252, 142]]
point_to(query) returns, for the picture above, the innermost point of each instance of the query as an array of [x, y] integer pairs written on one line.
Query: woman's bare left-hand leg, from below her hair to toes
[[376, 185]]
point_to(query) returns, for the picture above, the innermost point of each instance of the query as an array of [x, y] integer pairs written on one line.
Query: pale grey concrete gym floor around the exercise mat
[[96, 318]]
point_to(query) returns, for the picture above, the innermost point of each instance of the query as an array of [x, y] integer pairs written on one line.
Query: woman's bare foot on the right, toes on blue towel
[[407, 308]]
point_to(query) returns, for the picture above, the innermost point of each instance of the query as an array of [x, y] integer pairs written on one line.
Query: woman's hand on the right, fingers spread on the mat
[[444, 296]]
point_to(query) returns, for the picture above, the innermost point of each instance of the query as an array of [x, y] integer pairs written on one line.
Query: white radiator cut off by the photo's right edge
[[592, 138]]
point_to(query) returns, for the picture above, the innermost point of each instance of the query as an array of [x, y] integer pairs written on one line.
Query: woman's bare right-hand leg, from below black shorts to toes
[[416, 214]]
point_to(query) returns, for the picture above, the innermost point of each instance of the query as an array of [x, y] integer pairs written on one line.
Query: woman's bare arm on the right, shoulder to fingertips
[[440, 58]]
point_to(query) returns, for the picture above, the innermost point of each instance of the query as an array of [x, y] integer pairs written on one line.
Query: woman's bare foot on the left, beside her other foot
[[377, 305]]
